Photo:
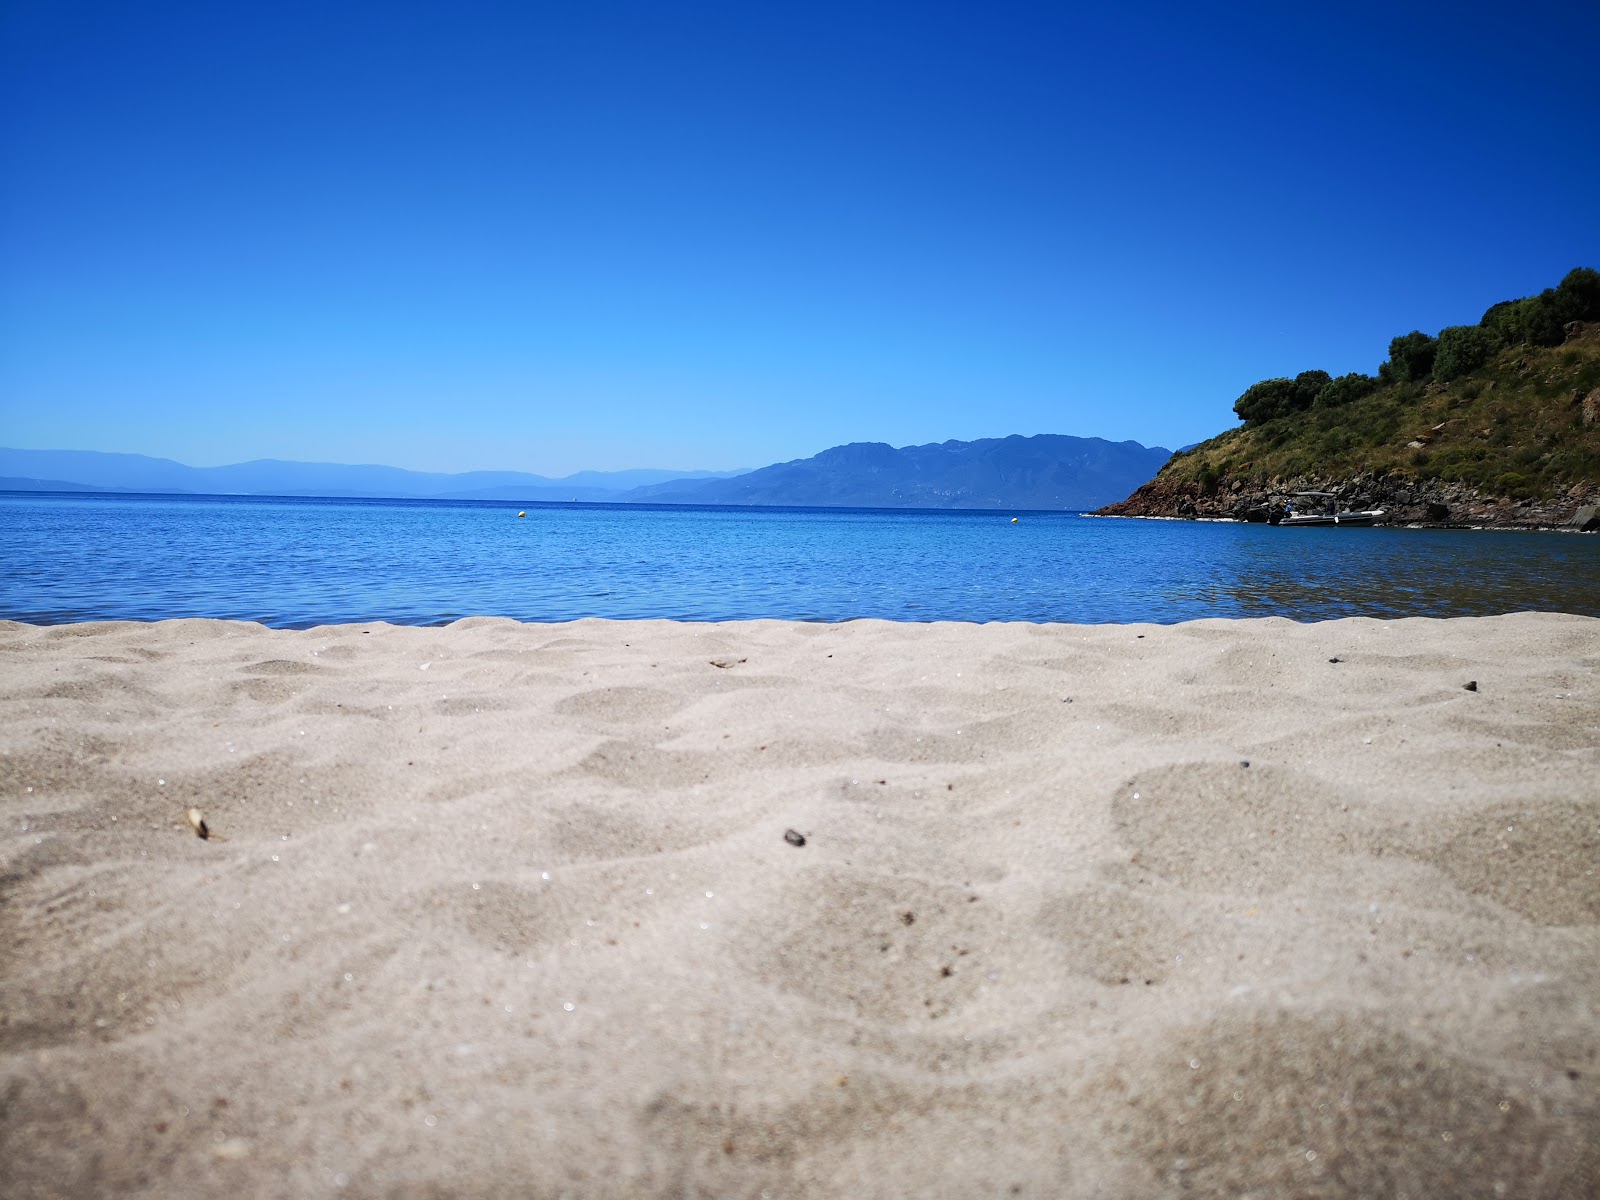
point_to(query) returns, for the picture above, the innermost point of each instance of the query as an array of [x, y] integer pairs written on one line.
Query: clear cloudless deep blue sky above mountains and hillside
[[596, 236]]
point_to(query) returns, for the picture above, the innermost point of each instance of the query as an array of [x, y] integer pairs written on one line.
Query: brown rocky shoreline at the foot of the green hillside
[[1410, 503]]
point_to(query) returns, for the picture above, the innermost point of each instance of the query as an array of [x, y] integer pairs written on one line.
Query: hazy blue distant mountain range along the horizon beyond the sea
[[1050, 471]]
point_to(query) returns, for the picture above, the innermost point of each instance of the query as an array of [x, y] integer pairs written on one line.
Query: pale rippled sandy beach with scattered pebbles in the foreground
[[778, 910]]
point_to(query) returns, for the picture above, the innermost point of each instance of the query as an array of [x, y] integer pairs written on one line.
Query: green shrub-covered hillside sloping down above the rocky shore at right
[[1502, 414]]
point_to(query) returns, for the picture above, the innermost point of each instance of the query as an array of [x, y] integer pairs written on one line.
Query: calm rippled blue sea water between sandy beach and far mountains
[[308, 562]]
